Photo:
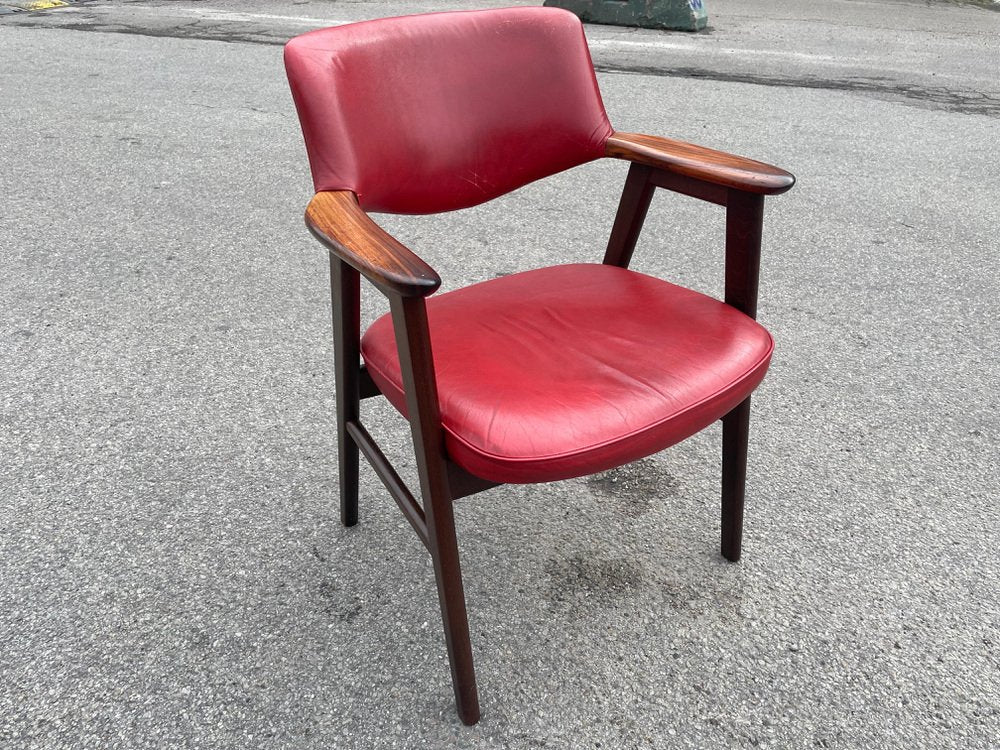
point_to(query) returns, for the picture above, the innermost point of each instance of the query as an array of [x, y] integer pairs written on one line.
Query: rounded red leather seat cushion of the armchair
[[568, 370]]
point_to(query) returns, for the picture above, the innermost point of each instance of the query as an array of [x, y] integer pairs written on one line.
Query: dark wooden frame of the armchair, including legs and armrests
[[359, 248]]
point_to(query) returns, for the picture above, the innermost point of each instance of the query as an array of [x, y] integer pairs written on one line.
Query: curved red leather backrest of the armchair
[[434, 112]]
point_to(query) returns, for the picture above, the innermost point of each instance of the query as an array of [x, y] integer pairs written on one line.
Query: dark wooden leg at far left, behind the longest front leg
[[345, 292]]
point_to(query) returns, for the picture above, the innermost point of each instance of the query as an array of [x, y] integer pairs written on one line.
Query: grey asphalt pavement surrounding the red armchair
[[172, 570]]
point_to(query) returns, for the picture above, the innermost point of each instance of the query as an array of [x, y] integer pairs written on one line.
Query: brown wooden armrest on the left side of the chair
[[336, 220]]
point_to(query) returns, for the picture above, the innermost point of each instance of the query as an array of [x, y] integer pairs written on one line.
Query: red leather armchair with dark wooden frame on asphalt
[[543, 375]]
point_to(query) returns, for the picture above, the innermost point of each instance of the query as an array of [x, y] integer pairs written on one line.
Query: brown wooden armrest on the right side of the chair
[[700, 163]]
